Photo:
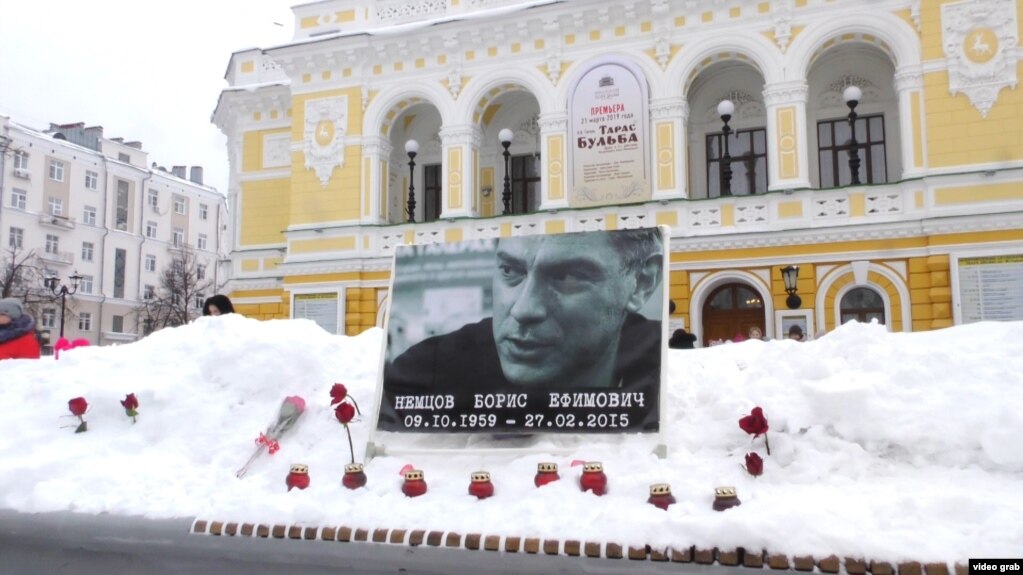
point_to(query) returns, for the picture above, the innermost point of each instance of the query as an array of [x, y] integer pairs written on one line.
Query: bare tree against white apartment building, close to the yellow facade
[[176, 301]]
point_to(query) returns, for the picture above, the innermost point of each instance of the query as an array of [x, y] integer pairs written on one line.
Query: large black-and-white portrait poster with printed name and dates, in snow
[[549, 334]]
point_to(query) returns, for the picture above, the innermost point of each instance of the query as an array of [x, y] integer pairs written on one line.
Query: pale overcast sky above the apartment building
[[145, 71]]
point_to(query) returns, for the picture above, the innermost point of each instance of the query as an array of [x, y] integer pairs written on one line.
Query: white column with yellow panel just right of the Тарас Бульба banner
[[668, 140]]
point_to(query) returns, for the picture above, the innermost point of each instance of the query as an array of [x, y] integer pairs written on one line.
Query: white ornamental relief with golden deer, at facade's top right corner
[[981, 41]]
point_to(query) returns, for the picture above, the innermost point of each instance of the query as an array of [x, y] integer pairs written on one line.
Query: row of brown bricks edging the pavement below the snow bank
[[477, 542]]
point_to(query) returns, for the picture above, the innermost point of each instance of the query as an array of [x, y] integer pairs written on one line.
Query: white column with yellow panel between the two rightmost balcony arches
[[788, 160]]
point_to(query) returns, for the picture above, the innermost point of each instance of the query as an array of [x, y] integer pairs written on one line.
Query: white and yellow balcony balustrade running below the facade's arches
[[746, 219]]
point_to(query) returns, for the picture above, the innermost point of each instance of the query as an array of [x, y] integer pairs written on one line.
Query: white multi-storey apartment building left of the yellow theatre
[[77, 204]]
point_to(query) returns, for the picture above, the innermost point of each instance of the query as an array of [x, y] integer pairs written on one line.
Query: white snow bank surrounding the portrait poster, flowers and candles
[[884, 447]]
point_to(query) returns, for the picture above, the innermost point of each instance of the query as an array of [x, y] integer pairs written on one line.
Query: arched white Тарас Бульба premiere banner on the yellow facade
[[608, 126]]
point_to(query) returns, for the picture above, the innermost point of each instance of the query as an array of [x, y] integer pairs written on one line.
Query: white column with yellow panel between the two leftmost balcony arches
[[461, 146]]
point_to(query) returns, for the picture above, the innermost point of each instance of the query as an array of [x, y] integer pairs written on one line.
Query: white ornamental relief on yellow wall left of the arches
[[325, 136]]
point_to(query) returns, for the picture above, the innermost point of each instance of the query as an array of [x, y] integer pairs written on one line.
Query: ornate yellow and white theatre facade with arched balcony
[[906, 207]]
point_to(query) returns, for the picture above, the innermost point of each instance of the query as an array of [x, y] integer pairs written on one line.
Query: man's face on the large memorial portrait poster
[[559, 306]]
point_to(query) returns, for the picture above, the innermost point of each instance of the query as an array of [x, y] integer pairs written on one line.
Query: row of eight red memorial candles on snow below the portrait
[[593, 479]]
